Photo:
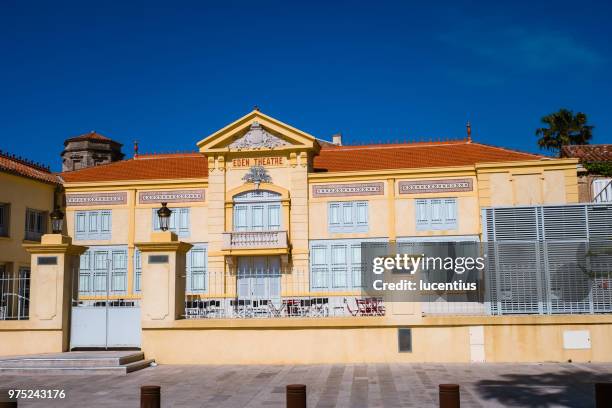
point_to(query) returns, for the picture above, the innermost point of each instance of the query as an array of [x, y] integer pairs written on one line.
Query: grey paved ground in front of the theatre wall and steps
[[351, 386]]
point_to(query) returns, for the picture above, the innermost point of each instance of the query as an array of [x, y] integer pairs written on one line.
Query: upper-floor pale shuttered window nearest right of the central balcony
[[347, 216]]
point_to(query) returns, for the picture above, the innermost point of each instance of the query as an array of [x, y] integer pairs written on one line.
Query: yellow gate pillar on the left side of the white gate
[[54, 264]]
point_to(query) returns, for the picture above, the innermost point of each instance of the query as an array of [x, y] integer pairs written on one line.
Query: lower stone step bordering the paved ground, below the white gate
[[111, 370]]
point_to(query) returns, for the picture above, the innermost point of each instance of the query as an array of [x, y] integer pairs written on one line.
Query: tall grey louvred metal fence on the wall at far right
[[549, 259]]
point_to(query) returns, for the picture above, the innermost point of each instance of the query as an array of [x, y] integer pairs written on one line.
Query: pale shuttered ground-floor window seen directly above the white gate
[[103, 270]]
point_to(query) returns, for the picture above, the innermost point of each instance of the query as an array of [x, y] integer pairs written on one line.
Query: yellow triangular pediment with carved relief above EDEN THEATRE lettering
[[257, 131]]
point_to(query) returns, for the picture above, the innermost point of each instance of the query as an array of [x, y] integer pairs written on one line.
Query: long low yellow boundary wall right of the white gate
[[442, 339]]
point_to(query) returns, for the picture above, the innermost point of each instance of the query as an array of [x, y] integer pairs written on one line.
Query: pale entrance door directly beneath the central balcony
[[259, 278]]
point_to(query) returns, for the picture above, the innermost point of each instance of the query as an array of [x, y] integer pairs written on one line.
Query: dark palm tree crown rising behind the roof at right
[[564, 128]]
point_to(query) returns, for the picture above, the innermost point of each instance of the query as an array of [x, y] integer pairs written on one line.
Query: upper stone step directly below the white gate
[[76, 359]]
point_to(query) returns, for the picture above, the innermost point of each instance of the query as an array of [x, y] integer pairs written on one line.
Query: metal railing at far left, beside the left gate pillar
[[15, 295]]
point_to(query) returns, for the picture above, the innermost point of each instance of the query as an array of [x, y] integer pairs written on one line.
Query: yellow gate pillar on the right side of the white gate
[[163, 278]]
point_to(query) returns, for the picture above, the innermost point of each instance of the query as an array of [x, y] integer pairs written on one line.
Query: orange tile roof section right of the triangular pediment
[[413, 155]]
